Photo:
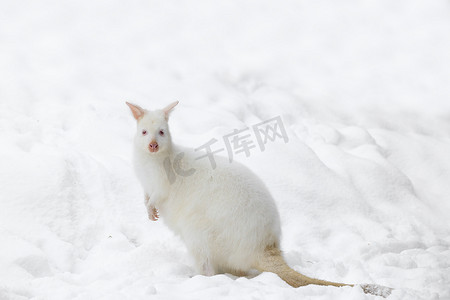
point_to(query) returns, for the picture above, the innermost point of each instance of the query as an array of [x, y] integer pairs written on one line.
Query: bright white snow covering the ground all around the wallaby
[[362, 184]]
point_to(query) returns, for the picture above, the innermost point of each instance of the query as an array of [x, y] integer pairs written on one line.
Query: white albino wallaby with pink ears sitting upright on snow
[[225, 216]]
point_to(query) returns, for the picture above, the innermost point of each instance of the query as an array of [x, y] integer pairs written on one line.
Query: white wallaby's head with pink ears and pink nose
[[152, 135]]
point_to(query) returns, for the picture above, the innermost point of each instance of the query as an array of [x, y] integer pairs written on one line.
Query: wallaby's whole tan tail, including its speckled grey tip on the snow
[[272, 261]]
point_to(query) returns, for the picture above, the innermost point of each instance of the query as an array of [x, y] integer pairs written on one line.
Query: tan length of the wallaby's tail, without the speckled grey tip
[[272, 261]]
